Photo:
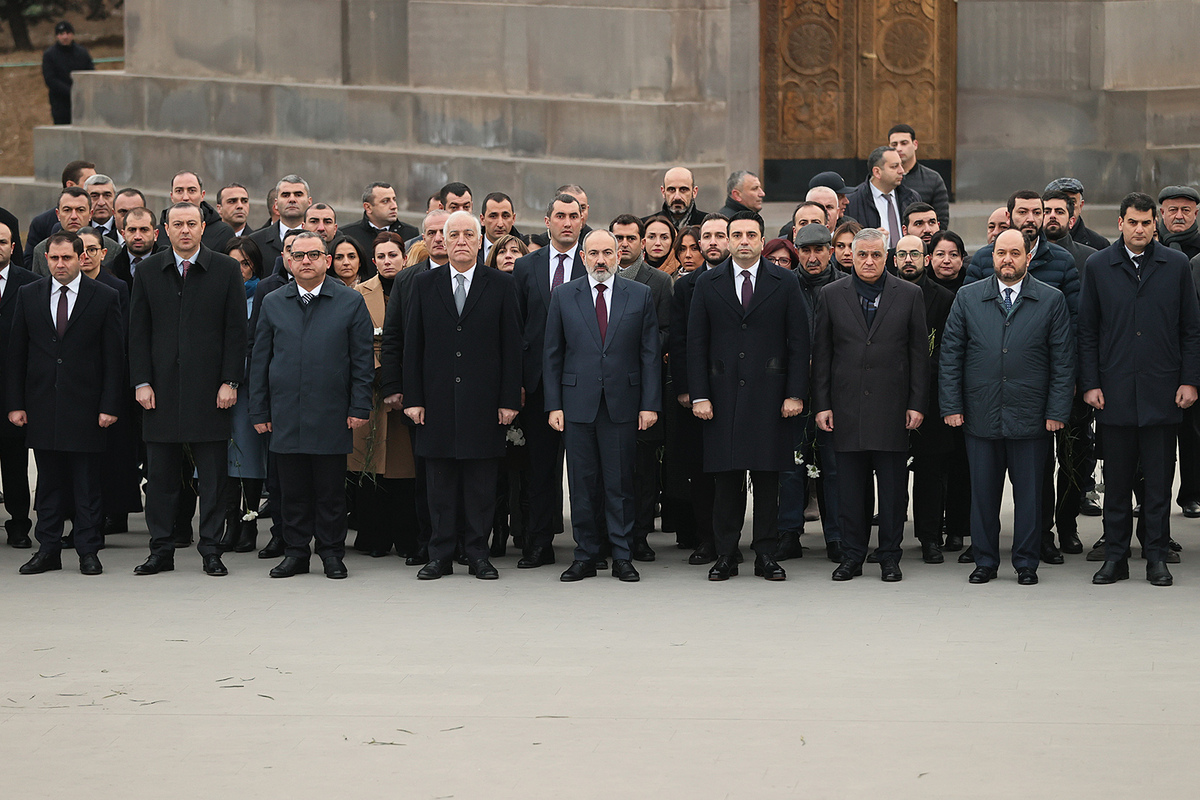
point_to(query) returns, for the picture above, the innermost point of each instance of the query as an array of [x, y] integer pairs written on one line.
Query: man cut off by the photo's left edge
[[14, 450]]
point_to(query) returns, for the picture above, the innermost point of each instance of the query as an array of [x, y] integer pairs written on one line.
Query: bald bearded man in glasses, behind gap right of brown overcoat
[[932, 443]]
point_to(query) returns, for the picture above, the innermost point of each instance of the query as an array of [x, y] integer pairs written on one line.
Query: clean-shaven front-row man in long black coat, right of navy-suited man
[[748, 370]]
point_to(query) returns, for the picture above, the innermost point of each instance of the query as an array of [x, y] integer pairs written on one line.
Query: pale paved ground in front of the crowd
[[187, 687]]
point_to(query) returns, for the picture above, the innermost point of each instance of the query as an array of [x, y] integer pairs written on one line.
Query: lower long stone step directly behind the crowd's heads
[[338, 173]]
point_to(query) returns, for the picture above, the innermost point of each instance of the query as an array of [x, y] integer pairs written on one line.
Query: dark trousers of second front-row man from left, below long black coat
[[165, 467]]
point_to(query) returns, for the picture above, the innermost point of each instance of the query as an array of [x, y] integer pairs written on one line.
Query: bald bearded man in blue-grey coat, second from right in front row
[[1007, 376]]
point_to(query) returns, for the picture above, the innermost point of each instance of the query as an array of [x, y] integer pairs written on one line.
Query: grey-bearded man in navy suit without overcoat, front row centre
[[602, 376]]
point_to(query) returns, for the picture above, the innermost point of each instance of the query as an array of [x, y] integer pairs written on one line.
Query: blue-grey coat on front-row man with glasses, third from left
[[313, 368]]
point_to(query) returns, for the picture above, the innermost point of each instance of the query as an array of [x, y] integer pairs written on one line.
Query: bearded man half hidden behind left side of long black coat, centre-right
[[715, 244]]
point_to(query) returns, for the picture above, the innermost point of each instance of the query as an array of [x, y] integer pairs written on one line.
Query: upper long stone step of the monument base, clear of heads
[[544, 127]]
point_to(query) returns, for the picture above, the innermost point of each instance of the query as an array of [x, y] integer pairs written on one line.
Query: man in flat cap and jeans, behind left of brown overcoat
[[817, 270]]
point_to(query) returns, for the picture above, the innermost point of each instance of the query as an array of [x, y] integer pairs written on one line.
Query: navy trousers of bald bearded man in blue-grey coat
[[1023, 461]]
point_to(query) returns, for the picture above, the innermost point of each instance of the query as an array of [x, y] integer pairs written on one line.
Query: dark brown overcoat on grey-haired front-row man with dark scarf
[[871, 378]]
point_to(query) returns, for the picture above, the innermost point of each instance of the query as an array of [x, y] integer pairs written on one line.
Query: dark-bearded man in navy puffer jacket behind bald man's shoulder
[[1053, 266]]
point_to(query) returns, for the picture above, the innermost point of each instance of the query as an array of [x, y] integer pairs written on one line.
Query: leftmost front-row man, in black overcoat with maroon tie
[[65, 368]]
